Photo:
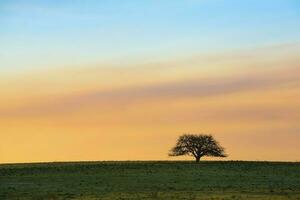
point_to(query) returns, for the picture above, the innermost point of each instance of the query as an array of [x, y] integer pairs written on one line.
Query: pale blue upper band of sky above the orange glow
[[55, 33]]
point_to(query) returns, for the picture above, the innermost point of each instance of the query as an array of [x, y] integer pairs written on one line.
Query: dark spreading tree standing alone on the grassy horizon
[[197, 146]]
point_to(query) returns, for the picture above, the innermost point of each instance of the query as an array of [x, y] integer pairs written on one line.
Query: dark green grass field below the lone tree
[[150, 180]]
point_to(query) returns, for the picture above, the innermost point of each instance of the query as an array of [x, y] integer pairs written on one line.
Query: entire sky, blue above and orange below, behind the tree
[[121, 80]]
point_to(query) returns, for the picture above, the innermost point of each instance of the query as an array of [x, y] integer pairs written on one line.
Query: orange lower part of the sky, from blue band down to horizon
[[249, 100]]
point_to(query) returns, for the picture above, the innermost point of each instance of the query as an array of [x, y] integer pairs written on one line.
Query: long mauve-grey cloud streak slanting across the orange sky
[[191, 88]]
